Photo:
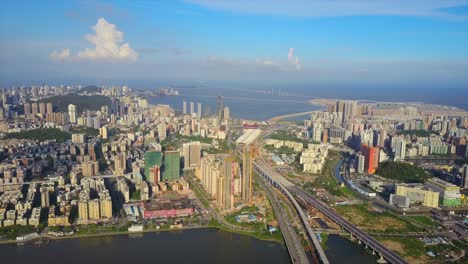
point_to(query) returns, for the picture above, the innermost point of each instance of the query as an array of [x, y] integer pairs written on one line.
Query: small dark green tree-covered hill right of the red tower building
[[402, 172]]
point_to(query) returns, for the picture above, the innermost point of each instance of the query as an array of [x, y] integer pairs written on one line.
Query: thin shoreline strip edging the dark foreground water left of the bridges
[[51, 238]]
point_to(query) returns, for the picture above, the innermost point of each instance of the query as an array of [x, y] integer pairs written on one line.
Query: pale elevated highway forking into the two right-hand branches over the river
[[293, 192]]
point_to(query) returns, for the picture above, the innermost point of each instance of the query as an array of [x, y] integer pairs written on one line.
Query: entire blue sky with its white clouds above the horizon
[[251, 42]]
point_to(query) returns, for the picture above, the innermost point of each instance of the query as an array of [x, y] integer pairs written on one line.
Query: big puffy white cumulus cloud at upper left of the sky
[[108, 45]]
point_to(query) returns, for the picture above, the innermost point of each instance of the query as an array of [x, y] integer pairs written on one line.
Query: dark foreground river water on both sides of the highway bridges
[[189, 246]]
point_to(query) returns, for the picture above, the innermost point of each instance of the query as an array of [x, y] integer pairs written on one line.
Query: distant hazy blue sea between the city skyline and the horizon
[[264, 103]]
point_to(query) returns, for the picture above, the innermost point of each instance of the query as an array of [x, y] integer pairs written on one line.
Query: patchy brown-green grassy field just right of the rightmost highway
[[362, 216]]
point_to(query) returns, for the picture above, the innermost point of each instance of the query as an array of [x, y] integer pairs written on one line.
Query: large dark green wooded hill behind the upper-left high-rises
[[82, 102]]
